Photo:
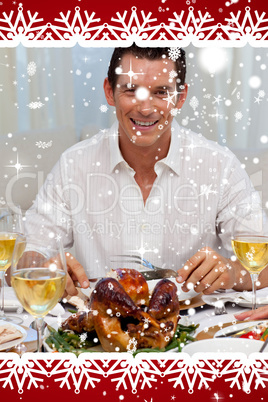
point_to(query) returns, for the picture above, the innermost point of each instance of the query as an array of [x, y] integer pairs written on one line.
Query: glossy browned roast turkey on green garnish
[[126, 316]]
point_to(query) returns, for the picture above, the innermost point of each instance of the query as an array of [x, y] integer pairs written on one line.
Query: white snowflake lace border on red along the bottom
[[124, 371]]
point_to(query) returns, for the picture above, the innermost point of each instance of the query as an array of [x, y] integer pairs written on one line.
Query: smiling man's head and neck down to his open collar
[[144, 92]]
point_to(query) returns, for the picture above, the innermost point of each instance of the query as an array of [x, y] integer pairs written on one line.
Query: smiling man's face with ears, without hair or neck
[[145, 98]]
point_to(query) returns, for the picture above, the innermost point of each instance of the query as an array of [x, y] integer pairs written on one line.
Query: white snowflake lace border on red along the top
[[87, 29]]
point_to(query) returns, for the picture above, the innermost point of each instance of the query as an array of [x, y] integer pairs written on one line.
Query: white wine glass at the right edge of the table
[[250, 241]]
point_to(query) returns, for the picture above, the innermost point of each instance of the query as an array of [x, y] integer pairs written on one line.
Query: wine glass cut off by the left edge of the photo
[[11, 227]]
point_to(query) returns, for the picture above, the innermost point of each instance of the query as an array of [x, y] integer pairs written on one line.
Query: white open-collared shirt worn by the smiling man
[[91, 199]]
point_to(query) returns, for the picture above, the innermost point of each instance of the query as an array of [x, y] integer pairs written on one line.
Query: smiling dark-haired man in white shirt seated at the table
[[146, 185]]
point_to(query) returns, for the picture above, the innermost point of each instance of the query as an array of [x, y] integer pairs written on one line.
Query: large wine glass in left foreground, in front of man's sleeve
[[38, 276]]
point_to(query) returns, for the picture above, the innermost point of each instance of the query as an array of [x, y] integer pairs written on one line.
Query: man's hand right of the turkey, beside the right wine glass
[[207, 271]]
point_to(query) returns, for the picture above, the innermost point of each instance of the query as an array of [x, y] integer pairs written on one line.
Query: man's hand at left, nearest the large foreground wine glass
[[75, 273]]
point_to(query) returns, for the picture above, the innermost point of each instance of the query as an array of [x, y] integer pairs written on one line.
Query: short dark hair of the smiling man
[[150, 53]]
